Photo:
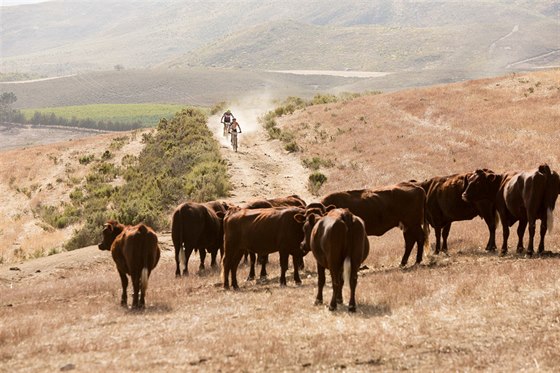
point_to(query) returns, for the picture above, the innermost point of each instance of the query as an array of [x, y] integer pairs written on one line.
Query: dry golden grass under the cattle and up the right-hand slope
[[469, 311]]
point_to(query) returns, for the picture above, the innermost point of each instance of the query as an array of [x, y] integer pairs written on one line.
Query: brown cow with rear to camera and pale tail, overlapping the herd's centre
[[339, 243]]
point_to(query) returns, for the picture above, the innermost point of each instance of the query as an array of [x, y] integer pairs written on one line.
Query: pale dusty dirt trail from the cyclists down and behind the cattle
[[260, 169]]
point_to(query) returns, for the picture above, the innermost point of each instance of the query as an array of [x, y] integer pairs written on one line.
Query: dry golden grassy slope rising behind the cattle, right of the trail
[[501, 123]]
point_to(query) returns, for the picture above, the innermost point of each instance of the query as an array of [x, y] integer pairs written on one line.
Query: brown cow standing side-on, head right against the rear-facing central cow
[[262, 231]]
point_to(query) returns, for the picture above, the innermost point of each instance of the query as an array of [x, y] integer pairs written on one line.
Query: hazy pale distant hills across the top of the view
[[65, 37]]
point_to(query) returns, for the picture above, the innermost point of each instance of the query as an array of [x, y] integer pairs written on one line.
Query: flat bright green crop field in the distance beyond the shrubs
[[147, 114]]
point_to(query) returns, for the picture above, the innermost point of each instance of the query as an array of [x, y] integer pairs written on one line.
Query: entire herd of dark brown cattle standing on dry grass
[[336, 228]]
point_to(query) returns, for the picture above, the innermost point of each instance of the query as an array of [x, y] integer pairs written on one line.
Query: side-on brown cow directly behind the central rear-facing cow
[[401, 205]]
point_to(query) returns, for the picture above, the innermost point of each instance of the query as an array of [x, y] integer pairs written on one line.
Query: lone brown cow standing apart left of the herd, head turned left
[[136, 253]]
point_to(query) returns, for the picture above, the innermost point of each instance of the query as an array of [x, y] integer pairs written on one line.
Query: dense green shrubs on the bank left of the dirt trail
[[180, 161]]
